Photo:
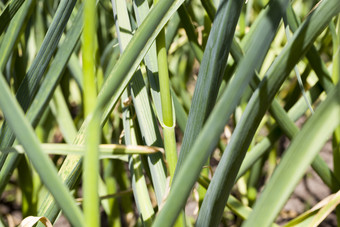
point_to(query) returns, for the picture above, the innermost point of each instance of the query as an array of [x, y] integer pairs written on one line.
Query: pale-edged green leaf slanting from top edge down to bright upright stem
[[141, 42]]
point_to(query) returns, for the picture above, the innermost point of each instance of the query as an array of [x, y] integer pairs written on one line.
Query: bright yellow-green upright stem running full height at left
[[91, 159]]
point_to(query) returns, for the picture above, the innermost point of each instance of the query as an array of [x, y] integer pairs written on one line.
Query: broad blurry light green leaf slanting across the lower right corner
[[298, 157]]
